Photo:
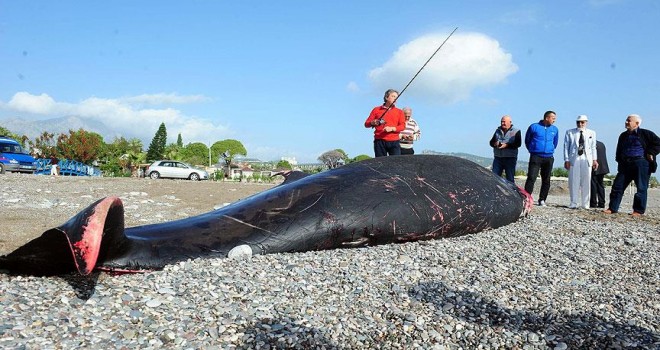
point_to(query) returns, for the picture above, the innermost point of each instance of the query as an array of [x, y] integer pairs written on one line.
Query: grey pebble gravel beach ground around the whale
[[557, 279]]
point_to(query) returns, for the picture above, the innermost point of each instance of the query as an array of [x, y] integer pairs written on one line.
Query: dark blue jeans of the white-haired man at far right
[[637, 170]]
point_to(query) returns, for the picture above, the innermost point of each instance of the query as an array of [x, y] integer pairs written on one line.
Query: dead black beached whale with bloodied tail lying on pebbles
[[376, 201]]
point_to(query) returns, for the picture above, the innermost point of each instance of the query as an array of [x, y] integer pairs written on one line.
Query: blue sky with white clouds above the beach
[[298, 78]]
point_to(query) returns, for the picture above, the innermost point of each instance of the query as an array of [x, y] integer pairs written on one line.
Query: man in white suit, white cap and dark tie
[[580, 157]]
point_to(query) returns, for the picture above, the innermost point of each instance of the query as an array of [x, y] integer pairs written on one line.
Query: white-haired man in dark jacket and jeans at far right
[[636, 153]]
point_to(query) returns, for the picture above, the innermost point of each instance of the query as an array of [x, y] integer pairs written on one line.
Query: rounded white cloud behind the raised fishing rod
[[466, 62]]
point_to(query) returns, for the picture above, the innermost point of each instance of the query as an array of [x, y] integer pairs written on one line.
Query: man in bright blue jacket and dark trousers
[[541, 141]]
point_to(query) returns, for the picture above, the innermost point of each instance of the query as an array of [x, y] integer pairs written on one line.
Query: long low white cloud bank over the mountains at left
[[126, 116]]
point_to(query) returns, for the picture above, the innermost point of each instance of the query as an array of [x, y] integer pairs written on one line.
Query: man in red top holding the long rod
[[387, 121]]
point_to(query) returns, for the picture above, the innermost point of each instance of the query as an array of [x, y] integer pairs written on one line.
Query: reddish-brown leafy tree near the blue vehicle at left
[[83, 146]]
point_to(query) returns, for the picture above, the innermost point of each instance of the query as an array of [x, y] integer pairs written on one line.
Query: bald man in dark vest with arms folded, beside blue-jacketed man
[[505, 142]]
